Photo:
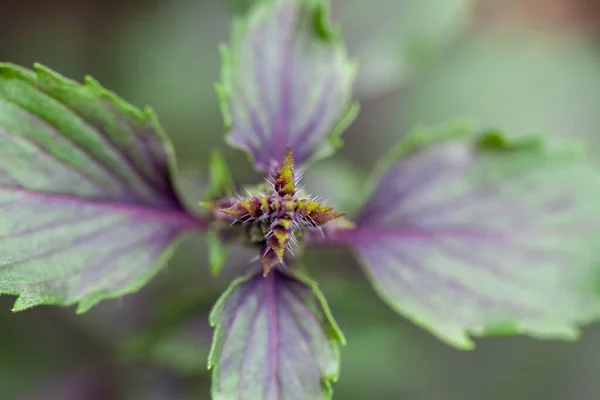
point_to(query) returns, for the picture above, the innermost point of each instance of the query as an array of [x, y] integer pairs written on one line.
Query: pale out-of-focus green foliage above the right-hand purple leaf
[[522, 83]]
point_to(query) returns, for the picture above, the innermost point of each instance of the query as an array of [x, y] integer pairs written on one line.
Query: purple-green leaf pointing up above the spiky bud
[[286, 82]]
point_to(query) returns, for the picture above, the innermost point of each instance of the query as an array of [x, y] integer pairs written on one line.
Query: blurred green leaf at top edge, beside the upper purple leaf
[[393, 40]]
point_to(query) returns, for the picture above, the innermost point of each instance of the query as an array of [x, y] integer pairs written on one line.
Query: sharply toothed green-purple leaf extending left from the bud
[[88, 206]]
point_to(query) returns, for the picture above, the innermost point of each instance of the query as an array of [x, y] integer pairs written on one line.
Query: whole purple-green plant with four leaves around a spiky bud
[[463, 232]]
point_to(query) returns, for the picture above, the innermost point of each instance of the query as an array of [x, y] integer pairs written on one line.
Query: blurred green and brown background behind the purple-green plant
[[525, 66]]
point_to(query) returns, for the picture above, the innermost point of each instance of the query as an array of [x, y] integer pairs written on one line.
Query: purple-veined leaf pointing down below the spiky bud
[[274, 338]]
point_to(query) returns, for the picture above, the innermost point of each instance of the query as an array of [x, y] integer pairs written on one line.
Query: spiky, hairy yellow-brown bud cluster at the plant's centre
[[280, 213]]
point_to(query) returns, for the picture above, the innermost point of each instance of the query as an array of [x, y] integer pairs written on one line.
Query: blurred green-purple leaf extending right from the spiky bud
[[483, 237]]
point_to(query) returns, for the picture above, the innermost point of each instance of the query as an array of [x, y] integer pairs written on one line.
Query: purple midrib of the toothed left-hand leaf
[[177, 217]]
